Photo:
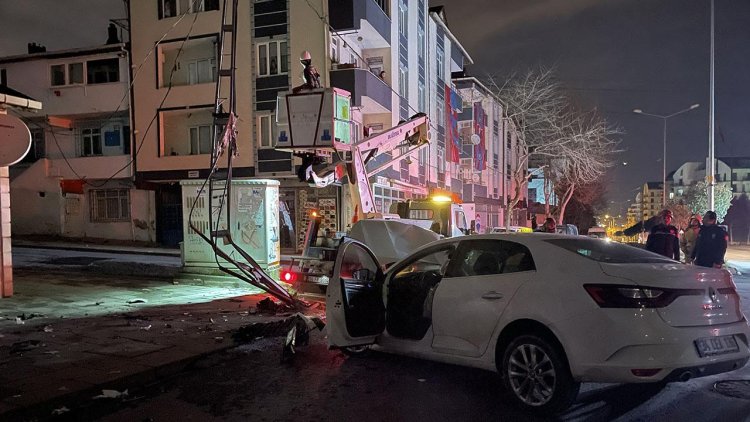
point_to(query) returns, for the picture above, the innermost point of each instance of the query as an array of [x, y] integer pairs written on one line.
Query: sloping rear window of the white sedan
[[609, 252]]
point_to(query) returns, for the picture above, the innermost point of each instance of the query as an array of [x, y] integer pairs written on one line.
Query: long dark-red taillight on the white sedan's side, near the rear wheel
[[629, 296]]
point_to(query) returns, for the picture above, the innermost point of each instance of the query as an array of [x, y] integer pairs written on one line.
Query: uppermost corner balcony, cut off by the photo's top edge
[[365, 18]]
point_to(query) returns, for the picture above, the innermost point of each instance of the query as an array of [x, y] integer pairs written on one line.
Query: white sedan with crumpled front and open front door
[[546, 311]]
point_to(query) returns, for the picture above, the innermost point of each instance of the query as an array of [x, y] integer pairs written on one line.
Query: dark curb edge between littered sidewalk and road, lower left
[[81, 403]]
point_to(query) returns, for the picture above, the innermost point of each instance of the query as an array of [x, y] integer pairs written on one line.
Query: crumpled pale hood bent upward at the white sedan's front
[[391, 240]]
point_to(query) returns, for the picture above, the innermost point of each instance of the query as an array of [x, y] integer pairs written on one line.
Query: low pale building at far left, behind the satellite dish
[[77, 180]]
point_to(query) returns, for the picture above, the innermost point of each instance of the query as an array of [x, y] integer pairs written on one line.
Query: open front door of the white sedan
[[355, 312]]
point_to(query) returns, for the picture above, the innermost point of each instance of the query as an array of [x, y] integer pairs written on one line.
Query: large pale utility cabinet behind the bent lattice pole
[[254, 216]]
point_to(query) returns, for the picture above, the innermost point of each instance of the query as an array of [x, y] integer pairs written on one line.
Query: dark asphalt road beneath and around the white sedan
[[250, 383]]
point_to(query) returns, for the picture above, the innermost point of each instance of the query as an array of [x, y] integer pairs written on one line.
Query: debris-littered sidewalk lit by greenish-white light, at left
[[65, 336]]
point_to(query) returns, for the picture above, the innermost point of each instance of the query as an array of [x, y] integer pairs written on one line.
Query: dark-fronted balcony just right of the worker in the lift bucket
[[368, 91]]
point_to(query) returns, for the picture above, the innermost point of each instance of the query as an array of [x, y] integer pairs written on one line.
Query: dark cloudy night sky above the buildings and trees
[[615, 55]]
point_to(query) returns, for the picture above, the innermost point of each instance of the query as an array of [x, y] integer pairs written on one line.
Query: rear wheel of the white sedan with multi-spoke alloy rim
[[536, 375]]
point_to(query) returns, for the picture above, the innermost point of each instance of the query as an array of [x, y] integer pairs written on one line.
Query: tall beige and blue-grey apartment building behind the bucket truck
[[395, 57]]
